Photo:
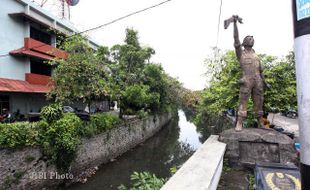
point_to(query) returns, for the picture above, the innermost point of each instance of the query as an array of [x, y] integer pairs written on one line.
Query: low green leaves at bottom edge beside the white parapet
[[144, 181]]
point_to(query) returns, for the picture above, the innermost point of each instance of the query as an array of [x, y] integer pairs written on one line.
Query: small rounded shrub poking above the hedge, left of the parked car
[[52, 112]]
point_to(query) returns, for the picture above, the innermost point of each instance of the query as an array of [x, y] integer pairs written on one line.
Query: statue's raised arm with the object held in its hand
[[237, 44]]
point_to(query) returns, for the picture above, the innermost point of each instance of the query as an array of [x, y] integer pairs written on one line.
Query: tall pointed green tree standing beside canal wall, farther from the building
[[135, 82]]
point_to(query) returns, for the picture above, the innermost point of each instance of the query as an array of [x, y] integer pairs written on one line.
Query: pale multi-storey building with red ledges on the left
[[26, 43]]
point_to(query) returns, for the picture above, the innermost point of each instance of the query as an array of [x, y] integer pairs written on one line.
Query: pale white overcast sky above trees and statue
[[182, 32]]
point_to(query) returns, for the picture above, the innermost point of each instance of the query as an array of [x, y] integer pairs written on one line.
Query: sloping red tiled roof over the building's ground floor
[[10, 85]]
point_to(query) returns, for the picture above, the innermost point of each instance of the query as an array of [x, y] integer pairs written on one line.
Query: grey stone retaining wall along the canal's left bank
[[29, 169]]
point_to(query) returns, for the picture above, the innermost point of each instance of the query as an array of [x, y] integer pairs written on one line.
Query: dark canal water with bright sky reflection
[[170, 147]]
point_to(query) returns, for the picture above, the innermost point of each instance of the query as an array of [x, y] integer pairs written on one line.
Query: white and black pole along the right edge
[[301, 19]]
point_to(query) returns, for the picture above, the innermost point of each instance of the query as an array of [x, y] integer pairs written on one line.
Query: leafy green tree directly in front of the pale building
[[80, 77]]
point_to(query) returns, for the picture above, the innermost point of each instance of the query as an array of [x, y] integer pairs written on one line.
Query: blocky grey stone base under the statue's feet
[[252, 145]]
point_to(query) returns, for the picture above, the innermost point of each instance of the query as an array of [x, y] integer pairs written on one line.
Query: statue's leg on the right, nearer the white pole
[[258, 99]]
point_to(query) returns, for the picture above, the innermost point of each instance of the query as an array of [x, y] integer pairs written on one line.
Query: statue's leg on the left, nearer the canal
[[242, 110]]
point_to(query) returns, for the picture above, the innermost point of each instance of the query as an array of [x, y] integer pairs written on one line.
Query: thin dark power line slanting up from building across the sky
[[103, 25]]
